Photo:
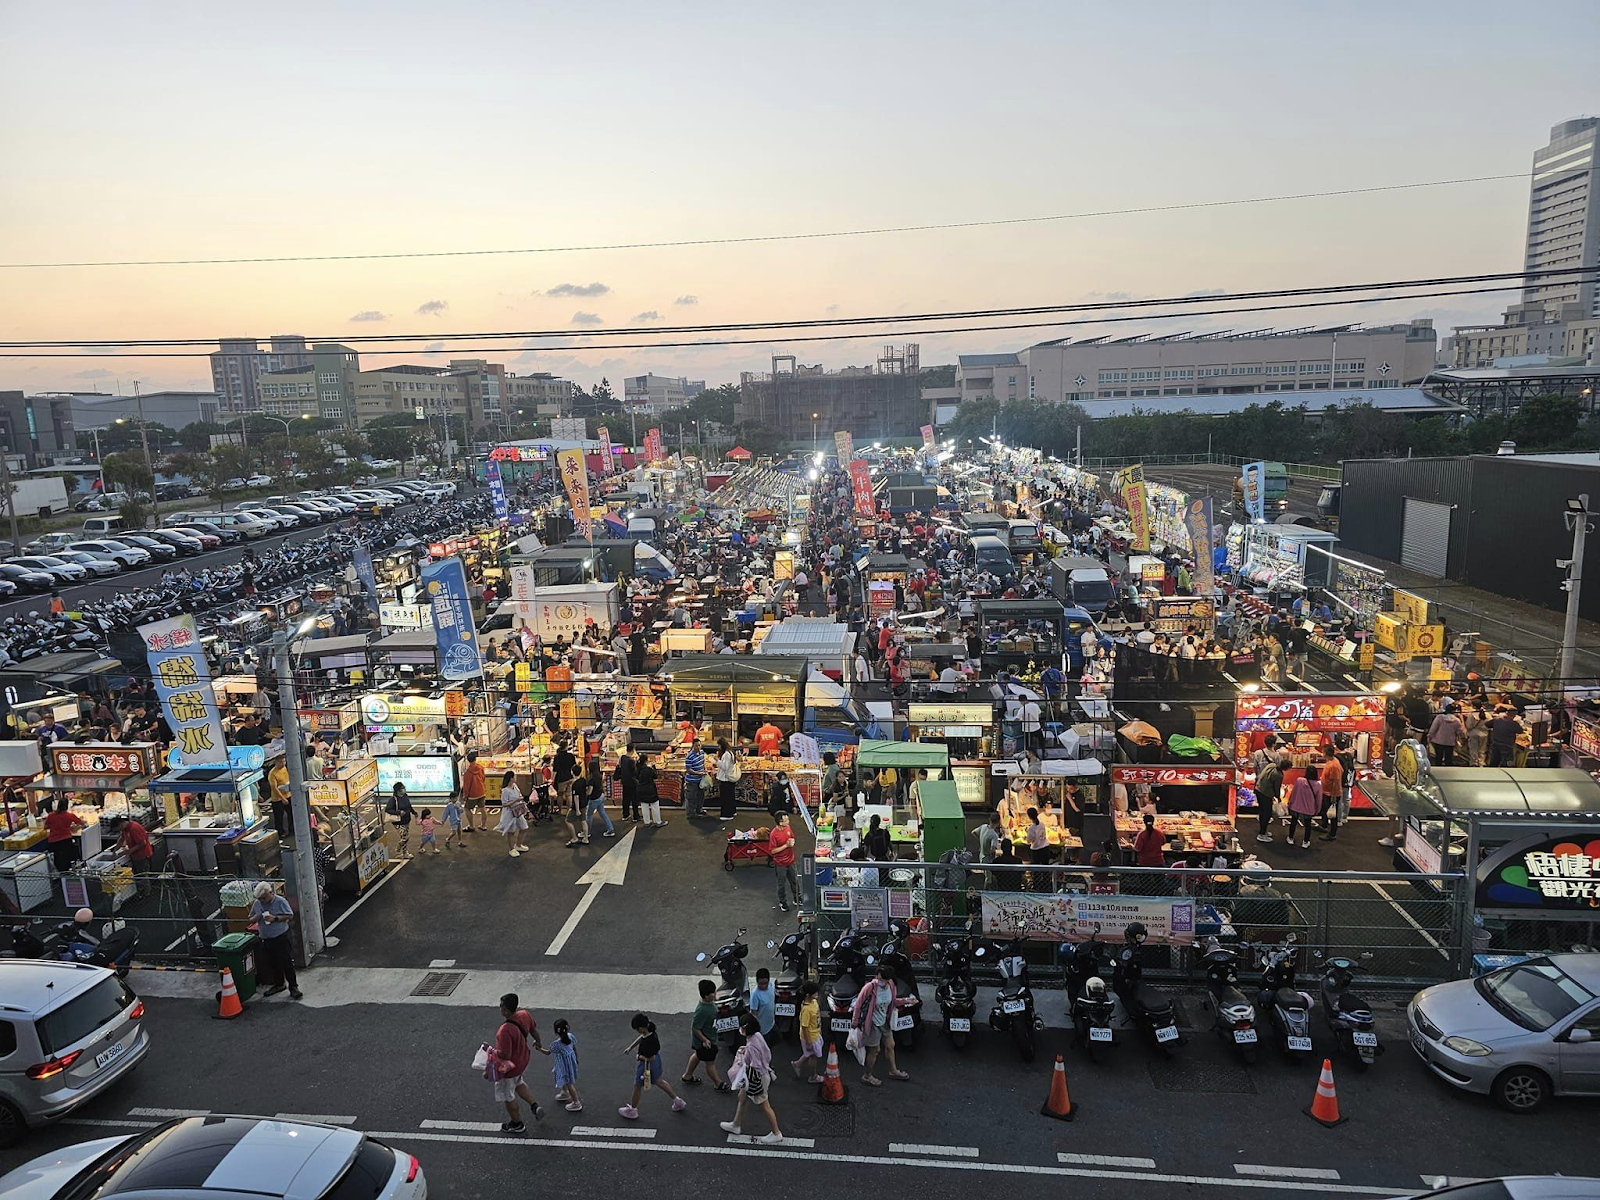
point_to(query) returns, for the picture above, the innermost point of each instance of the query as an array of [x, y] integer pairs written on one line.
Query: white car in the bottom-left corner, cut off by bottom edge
[[225, 1158]]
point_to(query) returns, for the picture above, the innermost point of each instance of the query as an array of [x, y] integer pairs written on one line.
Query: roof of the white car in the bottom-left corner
[[202, 1156]]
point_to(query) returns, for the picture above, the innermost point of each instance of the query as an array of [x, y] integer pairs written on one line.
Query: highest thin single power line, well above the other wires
[[772, 238]]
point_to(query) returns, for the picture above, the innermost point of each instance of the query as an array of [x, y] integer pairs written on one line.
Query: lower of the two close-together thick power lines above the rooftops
[[1342, 302]]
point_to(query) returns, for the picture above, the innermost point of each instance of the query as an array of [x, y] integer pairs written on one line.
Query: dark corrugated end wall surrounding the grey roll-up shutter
[[1372, 503]]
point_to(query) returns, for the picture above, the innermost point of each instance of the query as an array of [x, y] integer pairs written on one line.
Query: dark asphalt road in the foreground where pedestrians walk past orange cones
[[966, 1121]]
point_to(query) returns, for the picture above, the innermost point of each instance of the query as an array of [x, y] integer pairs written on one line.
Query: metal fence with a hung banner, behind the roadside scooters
[[1407, 930]]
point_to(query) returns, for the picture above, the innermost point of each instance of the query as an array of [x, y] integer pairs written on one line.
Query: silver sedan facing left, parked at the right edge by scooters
[[1521, 1034]]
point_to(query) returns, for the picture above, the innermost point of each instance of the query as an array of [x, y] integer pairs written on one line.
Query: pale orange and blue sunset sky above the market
[[196, 130]]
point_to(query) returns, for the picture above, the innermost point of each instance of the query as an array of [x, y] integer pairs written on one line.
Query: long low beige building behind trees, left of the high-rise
[[1214, 364]]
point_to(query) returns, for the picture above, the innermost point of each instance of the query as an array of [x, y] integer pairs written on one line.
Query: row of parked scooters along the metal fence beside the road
[[1100, 1012]]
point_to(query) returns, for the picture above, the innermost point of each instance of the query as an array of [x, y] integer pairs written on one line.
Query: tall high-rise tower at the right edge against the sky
[[1564, 217]]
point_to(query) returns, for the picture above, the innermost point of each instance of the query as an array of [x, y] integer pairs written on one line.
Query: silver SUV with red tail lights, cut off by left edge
[[68, 1031]]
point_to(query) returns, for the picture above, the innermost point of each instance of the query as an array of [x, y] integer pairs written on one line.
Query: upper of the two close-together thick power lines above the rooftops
[[847, 322]]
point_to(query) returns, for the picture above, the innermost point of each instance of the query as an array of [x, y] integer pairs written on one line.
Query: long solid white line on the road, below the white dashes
[[783, 1151]]
